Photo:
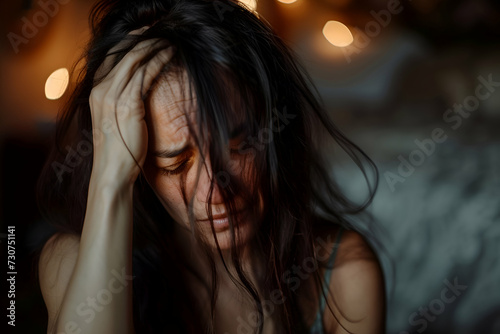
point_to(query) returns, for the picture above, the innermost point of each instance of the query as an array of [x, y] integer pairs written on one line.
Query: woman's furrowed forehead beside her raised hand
[[168, 107]]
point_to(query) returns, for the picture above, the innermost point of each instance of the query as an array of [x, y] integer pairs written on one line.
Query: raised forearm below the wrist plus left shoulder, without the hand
[[86, 283]]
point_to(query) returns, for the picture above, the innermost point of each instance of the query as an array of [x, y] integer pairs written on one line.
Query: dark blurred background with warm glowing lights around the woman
[[415, 83]]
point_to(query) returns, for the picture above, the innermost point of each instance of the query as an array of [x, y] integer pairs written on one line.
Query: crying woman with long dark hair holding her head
[[188, 190]]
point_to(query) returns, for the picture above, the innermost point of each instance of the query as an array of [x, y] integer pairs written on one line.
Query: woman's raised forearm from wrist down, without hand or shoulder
[[98, 298]]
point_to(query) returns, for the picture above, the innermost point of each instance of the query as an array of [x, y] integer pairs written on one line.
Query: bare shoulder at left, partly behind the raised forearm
[[56, 264]]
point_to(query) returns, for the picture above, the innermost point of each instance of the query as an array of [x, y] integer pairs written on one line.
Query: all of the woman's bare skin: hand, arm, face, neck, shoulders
[[71, 269]]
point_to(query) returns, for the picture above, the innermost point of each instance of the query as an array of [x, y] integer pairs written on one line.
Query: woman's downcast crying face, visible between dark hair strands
[[173, 160]]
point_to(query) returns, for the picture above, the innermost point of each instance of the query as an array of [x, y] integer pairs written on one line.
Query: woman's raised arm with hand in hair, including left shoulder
[[86, 283]]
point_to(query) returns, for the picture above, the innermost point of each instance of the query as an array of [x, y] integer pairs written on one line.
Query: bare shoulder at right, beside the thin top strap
[[357, 288]]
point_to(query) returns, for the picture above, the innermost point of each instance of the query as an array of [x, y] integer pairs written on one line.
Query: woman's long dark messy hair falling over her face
[[224, 48]]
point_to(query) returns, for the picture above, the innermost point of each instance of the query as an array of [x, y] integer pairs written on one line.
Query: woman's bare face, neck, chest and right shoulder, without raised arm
[[359, 303]]
